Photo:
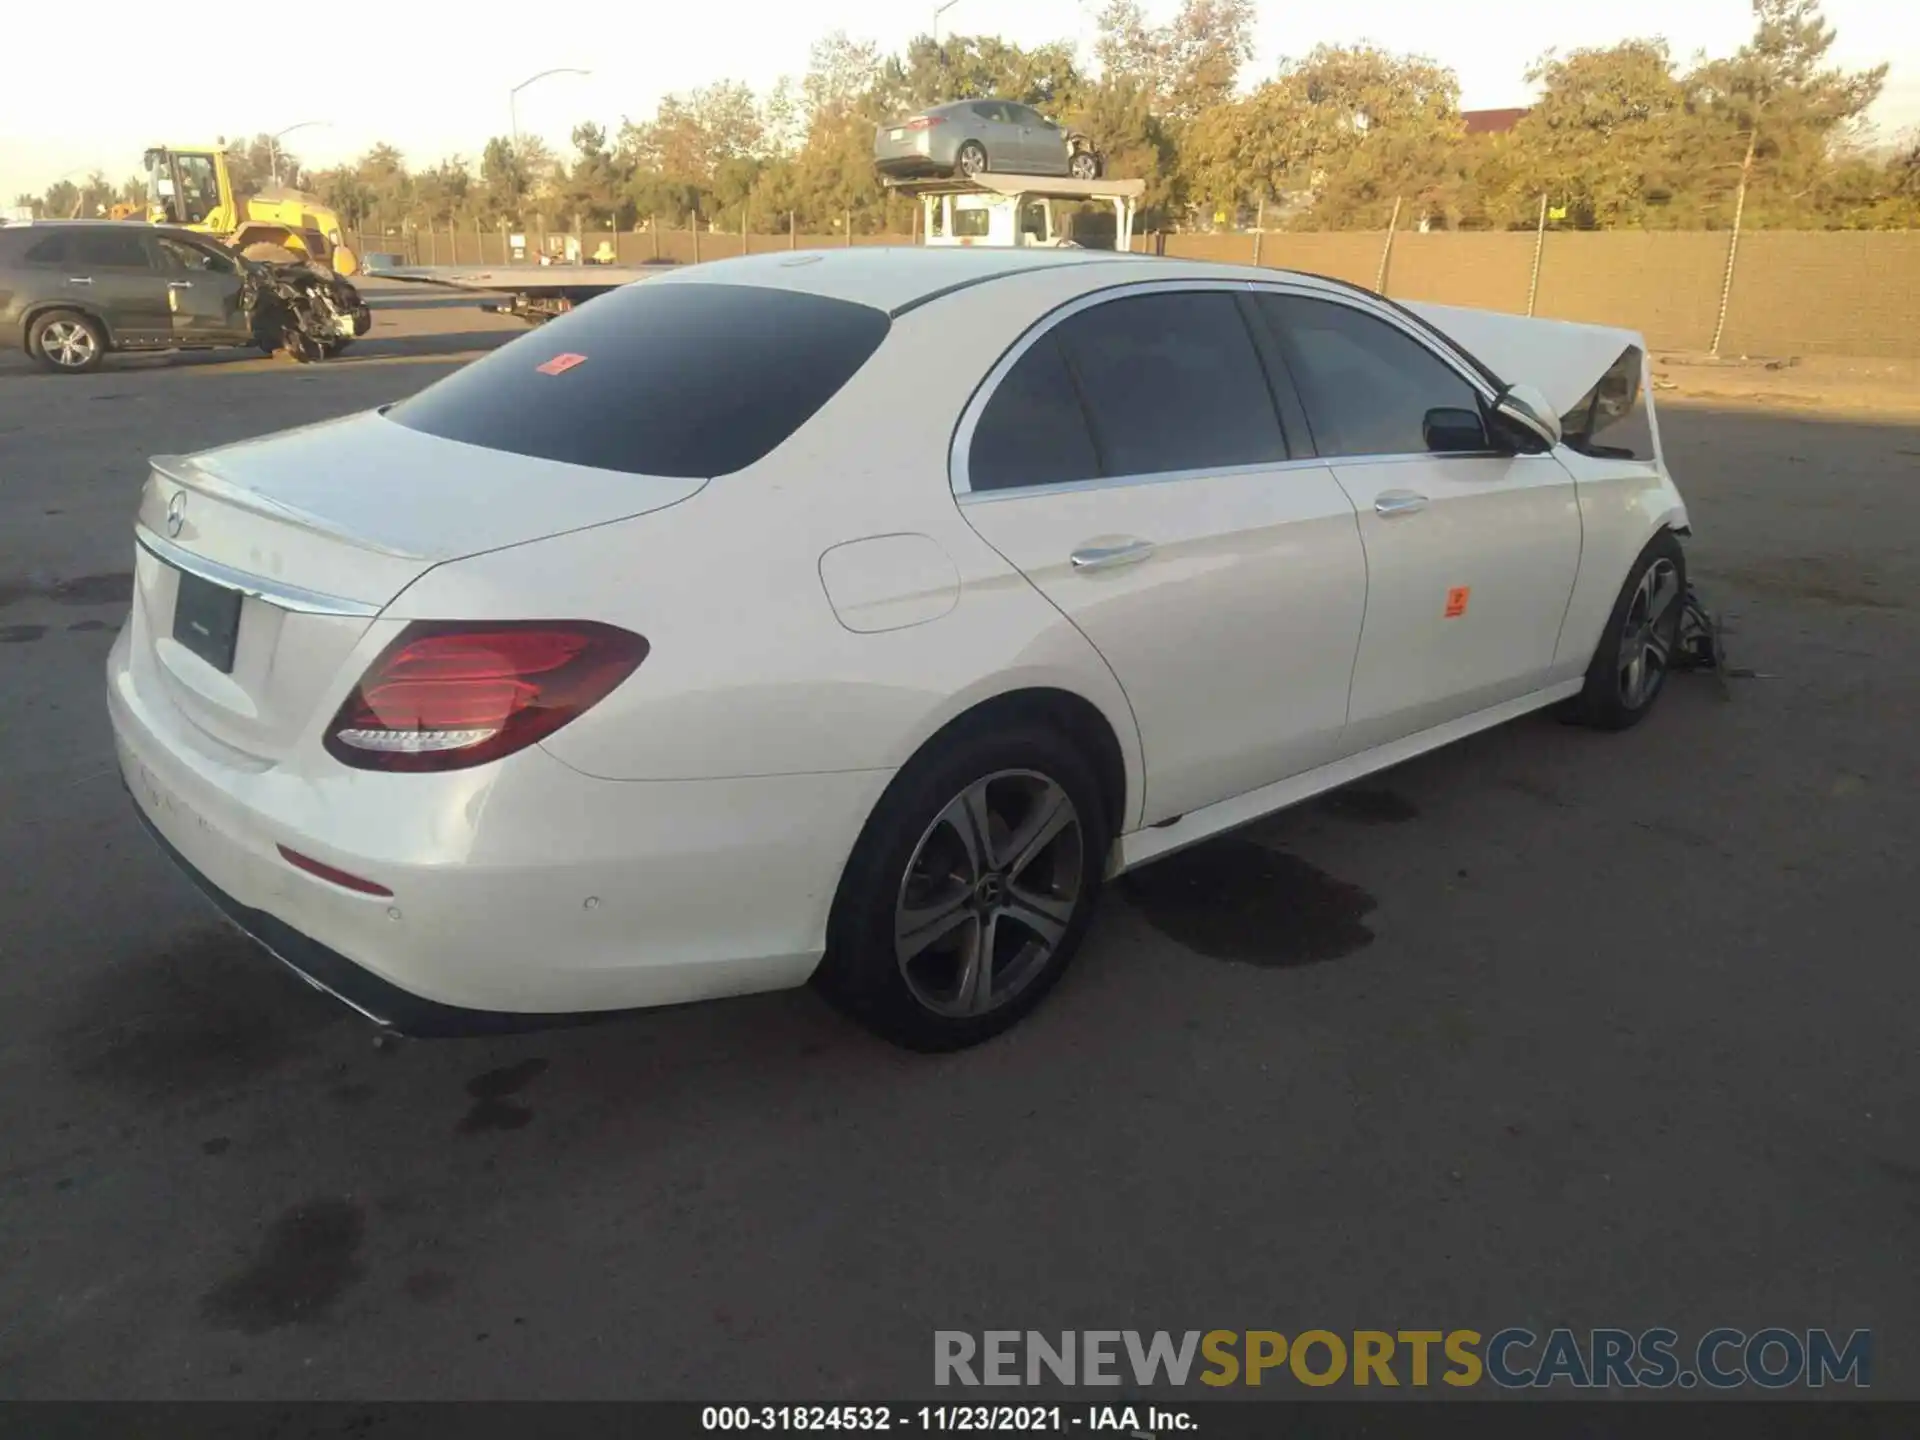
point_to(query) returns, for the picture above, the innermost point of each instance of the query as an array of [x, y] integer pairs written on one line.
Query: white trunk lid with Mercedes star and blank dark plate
[[300, 540]]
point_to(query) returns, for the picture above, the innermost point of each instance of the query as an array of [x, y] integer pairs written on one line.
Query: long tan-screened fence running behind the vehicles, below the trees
[[1787, 293]]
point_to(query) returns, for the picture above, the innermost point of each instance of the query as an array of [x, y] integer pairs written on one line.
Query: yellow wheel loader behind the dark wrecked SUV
[[195, 189]]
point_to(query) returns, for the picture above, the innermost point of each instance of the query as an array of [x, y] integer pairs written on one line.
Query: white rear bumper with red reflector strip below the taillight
[[521, 894]]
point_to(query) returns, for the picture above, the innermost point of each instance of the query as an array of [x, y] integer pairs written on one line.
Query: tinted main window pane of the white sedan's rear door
[[1172, 383]]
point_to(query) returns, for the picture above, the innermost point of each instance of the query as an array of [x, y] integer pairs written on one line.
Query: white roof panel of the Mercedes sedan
[[903, 277]]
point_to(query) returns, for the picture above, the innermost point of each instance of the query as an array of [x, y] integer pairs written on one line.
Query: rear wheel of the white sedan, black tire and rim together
[[969, 892]]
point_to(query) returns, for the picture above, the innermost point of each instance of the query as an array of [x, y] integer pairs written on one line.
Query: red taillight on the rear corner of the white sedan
[[446, 696]]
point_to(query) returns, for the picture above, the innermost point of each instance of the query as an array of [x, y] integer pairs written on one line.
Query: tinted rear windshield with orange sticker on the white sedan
[[677, 379]]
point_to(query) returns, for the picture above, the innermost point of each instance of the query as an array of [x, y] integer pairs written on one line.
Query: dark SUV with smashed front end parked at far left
[[72, 291]]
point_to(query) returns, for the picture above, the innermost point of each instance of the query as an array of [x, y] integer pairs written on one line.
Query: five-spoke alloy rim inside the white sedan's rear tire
[[990, 894]]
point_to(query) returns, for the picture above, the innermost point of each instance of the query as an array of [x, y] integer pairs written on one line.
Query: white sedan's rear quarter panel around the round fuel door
[[752, 673]]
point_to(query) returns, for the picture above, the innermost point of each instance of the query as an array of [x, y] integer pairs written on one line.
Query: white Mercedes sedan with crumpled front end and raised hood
[[855, 615]]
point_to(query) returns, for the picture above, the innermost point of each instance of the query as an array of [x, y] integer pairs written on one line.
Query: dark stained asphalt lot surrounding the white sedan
[[1550, 1028]]
